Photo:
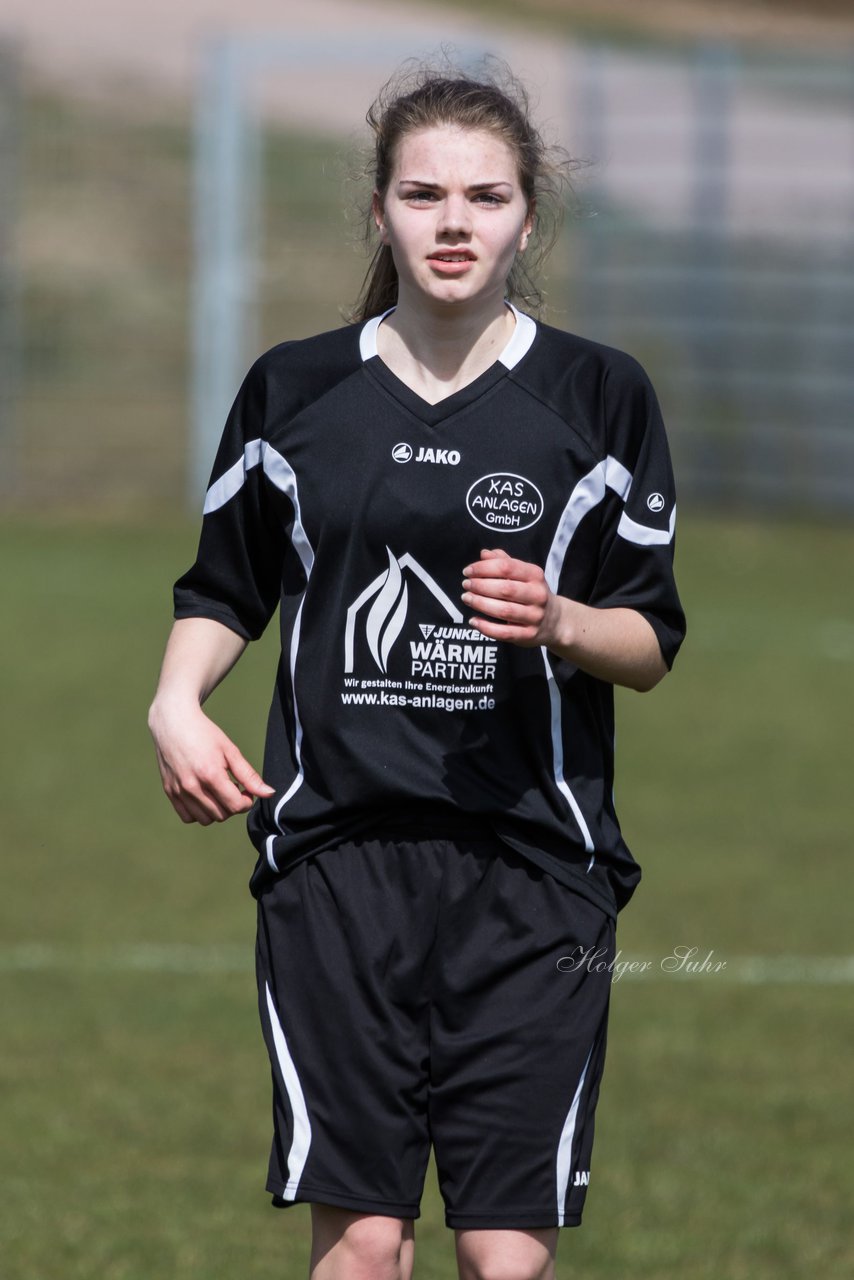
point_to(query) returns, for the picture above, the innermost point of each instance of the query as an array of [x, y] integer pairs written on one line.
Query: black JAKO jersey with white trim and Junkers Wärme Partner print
[[342, 496]]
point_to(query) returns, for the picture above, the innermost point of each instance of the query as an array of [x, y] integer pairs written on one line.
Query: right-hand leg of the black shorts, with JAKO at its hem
[[518, 1040]]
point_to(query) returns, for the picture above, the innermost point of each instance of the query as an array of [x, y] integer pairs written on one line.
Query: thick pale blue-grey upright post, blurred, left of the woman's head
[[221, 280]]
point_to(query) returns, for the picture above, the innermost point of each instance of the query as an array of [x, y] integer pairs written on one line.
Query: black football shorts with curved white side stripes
[[412, 996]]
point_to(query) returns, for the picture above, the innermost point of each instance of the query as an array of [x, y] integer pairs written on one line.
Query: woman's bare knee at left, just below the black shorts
[[359, 1246]]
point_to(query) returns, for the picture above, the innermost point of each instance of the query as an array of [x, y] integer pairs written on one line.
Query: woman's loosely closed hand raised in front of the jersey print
[[515, 597]]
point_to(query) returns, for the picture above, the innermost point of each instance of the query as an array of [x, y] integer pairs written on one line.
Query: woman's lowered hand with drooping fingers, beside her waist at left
[[204, 775]]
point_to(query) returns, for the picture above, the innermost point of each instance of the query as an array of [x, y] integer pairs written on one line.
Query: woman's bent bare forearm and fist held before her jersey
[[614, 644]]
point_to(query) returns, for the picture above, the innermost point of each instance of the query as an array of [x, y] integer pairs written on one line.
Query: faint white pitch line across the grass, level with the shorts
[[193, 959]]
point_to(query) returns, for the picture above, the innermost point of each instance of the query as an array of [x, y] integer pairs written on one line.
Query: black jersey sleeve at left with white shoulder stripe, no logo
[[238, 575]]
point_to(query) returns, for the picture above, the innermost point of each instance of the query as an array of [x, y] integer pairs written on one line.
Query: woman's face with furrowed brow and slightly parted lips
[[455, 216]]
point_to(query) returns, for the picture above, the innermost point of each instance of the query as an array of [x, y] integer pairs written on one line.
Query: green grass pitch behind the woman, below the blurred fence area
[[134, 1080]]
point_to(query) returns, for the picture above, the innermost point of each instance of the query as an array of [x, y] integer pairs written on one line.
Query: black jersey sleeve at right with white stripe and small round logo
[[640, 522]]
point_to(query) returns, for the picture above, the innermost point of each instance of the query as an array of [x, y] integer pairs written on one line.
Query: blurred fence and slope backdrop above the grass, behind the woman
[[179, 190]]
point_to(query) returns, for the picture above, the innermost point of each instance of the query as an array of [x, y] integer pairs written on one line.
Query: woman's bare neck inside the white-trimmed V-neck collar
[[439, 353]]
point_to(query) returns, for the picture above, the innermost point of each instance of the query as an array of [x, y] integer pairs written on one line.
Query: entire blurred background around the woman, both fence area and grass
[[180, 190]]
